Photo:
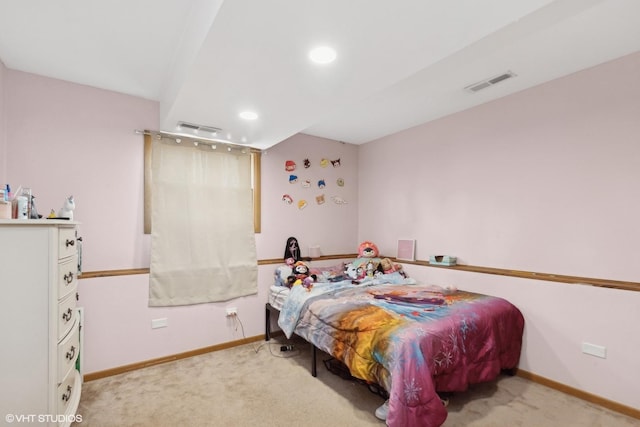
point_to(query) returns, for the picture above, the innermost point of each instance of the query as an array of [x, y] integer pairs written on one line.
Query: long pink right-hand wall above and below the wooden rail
[[544, 180]]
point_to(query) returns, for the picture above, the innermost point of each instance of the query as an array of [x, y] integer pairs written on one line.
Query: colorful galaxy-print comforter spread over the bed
[[414, 340]]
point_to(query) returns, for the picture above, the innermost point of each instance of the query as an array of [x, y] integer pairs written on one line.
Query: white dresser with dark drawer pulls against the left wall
[[40, 383]]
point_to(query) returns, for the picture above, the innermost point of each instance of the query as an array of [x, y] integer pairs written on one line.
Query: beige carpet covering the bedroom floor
[[258, 385]]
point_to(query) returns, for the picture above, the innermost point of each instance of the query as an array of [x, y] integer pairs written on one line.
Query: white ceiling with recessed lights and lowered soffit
[[400, 63]]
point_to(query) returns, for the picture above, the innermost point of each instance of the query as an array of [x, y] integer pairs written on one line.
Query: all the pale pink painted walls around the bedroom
[[543, 180]]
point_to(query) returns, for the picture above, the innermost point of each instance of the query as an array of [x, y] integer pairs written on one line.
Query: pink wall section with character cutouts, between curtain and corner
[[331, 226]]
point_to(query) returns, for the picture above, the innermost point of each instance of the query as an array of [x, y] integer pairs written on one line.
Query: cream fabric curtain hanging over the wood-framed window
[[202, 238]]
